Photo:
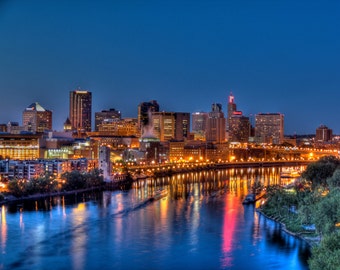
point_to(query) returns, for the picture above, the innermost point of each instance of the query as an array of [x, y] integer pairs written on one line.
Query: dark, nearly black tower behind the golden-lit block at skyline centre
[[144, 114]]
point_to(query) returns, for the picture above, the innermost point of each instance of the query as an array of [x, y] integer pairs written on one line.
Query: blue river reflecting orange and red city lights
[[200, 224]]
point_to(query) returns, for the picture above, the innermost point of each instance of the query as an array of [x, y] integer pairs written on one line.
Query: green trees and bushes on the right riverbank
[[310, 211]]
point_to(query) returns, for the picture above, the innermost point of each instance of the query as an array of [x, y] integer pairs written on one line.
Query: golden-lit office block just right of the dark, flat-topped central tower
[[163, 125]]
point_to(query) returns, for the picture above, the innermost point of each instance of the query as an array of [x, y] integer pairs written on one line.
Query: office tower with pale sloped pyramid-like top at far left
[[36, 119]]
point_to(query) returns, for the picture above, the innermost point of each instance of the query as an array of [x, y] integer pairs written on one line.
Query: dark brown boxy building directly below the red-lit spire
[[239, 128]]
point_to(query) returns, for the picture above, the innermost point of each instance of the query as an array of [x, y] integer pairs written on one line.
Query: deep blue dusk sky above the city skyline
[[275, 56]]
